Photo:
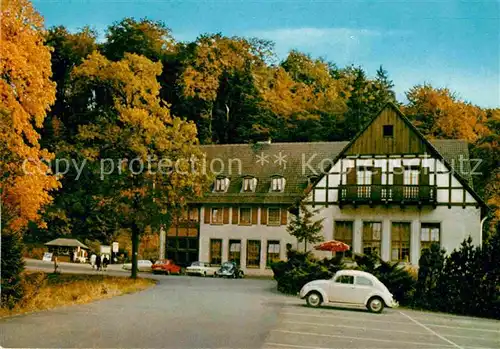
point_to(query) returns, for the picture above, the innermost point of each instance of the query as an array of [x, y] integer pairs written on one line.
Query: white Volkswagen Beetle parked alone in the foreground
[[350, 287]]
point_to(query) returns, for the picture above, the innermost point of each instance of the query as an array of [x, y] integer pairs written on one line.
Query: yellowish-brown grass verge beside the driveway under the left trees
[[45, 291]]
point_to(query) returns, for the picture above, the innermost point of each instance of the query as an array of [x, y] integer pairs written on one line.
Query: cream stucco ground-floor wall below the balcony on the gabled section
[[456, 223]]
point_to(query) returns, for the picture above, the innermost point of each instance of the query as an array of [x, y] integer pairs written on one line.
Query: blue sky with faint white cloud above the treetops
[[452, 44]]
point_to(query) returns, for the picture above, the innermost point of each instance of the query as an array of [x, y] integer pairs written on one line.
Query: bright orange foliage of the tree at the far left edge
[[26, 93]]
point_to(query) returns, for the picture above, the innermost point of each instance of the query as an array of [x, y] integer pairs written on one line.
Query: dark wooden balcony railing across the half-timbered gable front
[[402, 194]]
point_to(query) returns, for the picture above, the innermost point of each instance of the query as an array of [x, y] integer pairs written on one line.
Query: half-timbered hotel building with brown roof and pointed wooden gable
[[389, 190]]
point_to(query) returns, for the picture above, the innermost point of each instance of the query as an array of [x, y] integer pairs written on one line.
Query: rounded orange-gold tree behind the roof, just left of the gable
[[297, 92]]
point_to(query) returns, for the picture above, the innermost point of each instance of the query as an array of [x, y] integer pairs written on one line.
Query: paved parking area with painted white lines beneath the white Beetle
[[333, 327]]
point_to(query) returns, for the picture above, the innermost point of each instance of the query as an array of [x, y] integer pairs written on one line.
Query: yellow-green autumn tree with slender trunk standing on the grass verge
[[144, 158]]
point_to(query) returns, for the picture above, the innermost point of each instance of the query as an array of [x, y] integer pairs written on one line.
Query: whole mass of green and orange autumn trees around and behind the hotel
[[95, 95]]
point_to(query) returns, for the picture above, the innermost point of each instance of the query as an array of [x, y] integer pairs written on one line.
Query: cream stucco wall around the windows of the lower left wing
[[230, 231]]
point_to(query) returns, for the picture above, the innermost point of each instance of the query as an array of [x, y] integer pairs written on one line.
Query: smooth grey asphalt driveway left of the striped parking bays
[[180, 312]]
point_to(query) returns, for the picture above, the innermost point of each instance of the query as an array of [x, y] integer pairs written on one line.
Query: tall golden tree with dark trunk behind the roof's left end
[[210, 64]]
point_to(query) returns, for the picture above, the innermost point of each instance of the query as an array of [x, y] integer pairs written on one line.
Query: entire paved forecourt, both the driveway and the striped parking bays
[[195, 312]]
